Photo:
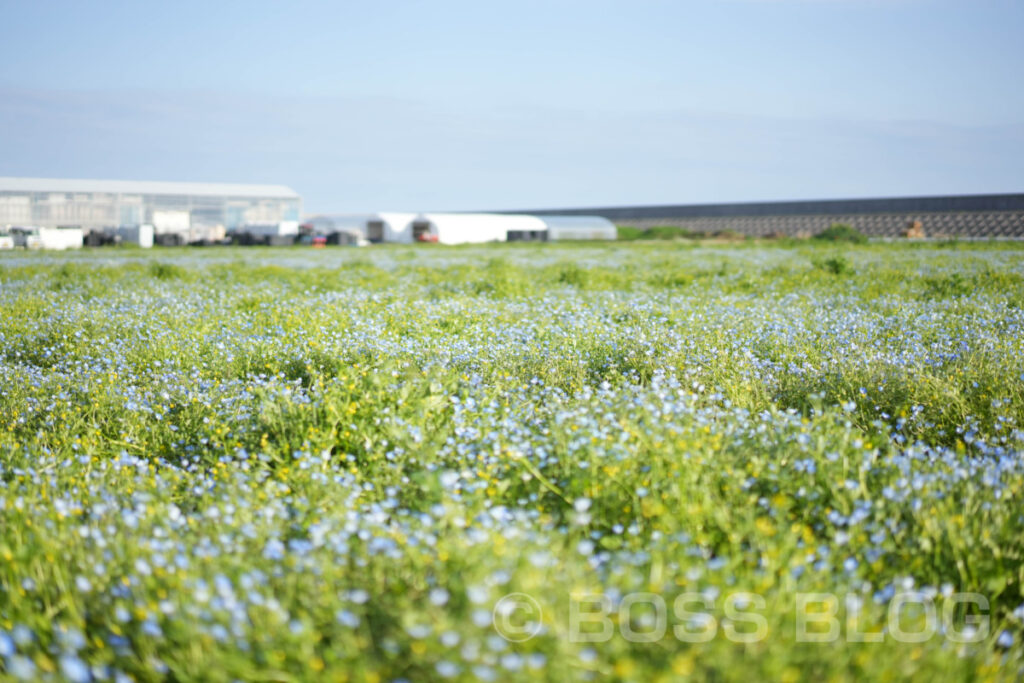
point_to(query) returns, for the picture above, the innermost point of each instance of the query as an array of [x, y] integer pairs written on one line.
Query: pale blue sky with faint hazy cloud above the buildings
[[478, 105]]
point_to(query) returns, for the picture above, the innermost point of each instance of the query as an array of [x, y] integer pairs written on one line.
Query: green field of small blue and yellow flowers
[[502, 463]]
